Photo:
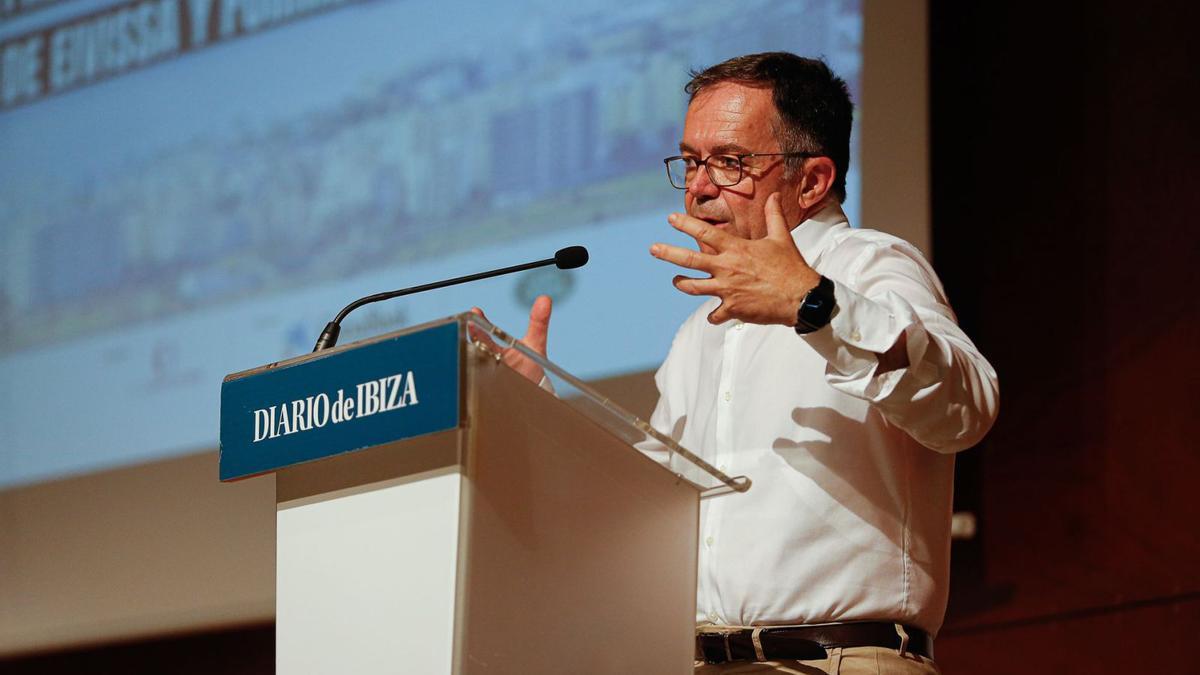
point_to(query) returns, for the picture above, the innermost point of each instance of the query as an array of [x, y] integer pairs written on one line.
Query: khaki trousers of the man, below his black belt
[[842, 661]]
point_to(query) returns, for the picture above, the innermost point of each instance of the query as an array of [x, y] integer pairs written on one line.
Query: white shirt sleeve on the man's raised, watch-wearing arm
[[949, 396]]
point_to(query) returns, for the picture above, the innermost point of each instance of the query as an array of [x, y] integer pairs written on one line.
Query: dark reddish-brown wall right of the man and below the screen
[[1065, 193]]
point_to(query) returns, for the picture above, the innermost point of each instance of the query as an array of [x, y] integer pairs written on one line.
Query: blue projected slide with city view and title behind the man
[[201, 193]]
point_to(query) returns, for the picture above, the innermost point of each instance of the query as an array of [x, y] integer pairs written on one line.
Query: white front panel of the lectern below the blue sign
[[367, 578]]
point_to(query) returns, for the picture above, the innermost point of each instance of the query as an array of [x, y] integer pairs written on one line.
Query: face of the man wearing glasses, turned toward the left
[[734, 120]]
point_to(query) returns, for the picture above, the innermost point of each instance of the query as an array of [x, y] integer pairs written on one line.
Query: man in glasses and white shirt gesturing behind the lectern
[[827, 368]]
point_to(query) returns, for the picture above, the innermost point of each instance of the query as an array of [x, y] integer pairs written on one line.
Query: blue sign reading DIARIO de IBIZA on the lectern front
[[388, 391]]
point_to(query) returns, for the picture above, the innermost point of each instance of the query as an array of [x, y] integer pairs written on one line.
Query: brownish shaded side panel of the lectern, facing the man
[[580, 555]]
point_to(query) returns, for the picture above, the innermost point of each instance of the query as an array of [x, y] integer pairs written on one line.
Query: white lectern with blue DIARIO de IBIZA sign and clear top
[[437, 512]]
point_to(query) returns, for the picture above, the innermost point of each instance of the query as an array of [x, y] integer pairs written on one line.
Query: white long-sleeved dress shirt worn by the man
[[849, 517]]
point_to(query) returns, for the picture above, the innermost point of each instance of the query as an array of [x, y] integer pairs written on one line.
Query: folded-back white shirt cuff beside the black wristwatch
[[861, 331]]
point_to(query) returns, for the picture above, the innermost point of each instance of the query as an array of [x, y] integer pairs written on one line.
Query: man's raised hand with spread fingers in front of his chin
[[758, 280]]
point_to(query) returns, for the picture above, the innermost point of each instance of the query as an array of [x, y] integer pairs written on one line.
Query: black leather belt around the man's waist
[[806, 643]]
